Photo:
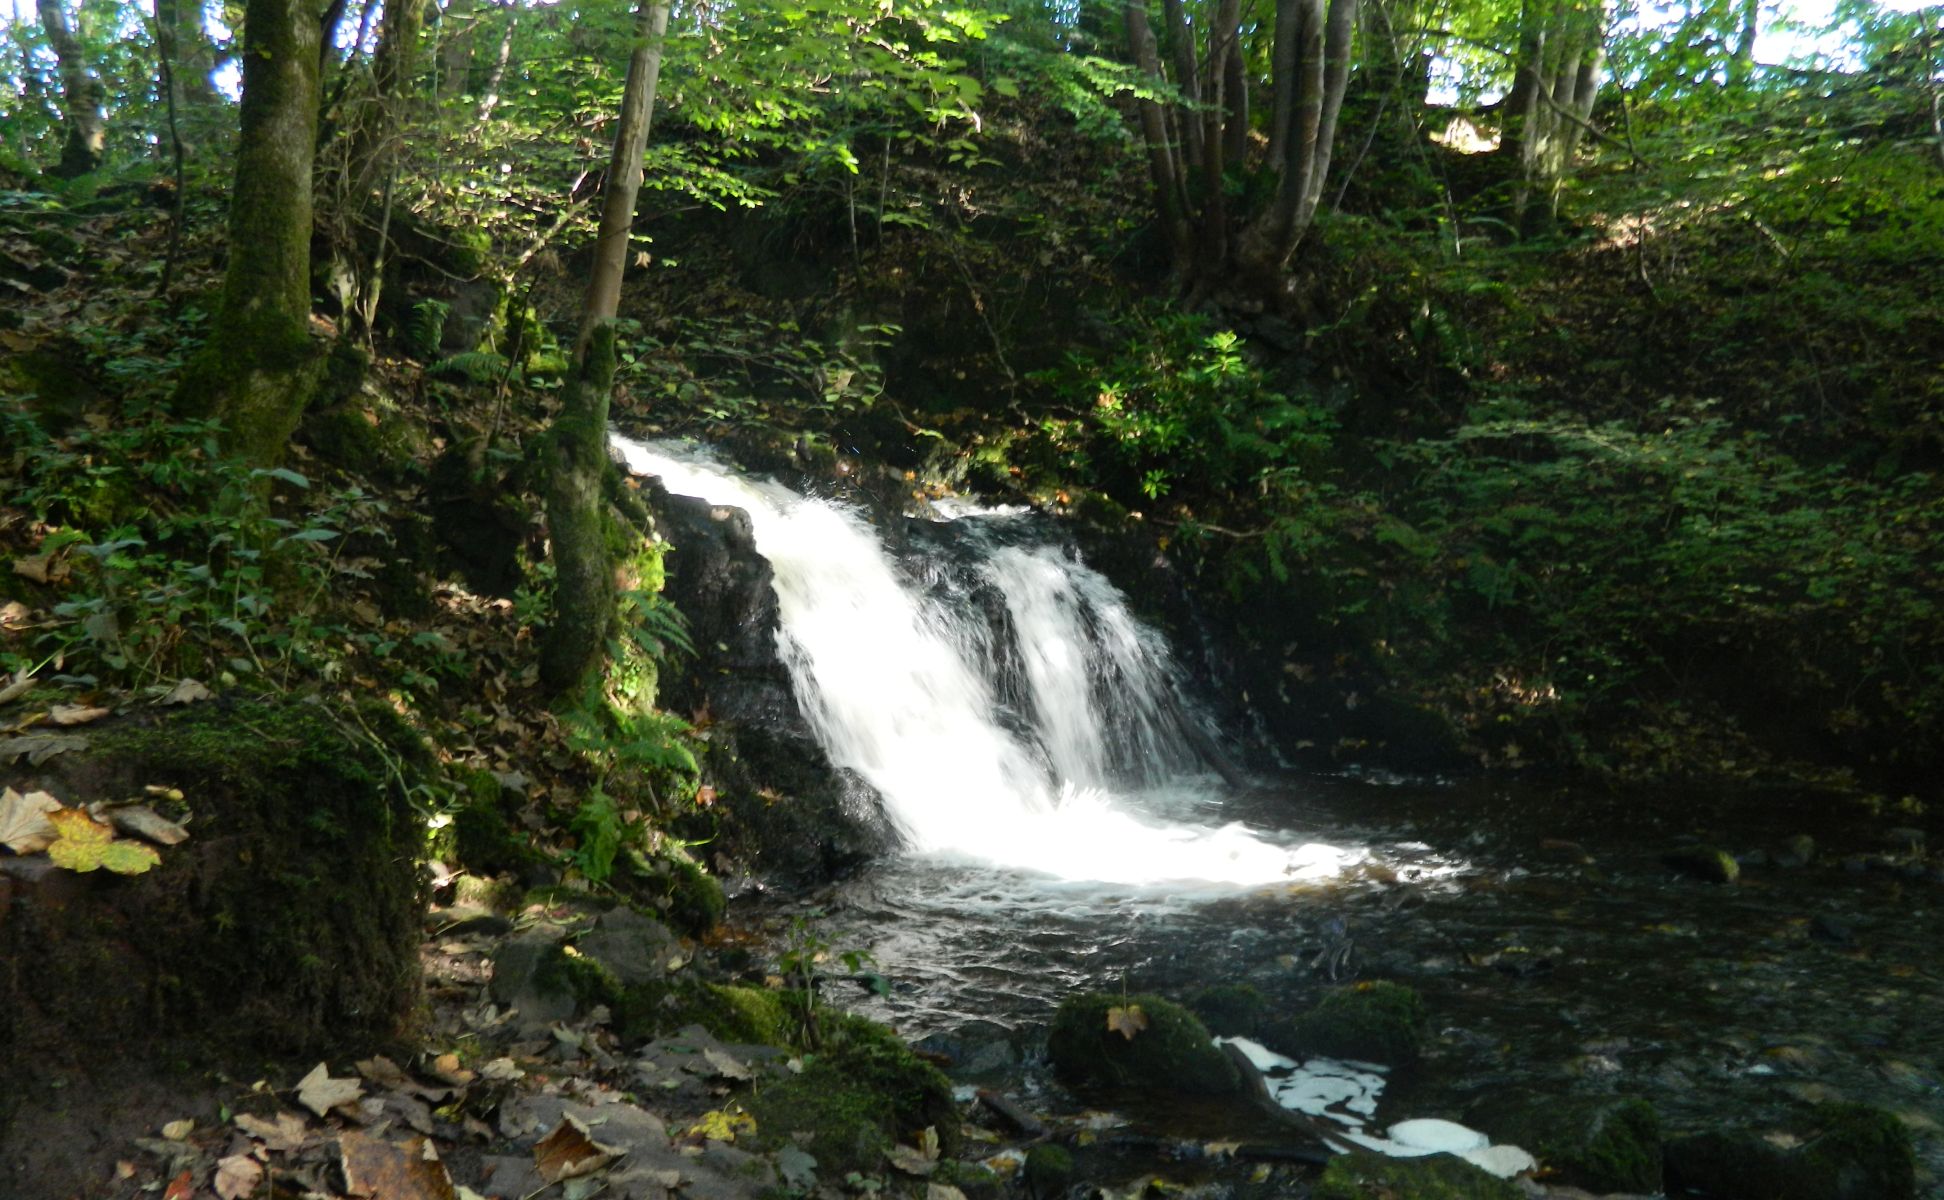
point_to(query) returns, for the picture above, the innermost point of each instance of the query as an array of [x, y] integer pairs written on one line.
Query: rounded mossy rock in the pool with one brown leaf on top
[[1171, 1053]]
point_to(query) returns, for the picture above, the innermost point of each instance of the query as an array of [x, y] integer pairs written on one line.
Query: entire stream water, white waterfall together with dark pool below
[[1066, 829]]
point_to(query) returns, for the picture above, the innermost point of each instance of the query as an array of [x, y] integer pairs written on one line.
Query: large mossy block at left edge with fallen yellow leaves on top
[[285, 927]]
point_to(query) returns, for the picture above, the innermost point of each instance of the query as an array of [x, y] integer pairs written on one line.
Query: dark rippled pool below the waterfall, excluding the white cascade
[[1556, 948]]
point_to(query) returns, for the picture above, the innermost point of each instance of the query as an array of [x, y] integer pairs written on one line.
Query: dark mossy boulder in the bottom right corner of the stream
[[1850, 1152]]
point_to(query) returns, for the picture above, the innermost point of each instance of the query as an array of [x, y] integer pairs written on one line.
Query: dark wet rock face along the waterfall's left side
[[782, 806]]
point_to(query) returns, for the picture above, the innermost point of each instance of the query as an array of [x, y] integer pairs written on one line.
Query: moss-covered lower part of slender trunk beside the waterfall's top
[[578, 524]]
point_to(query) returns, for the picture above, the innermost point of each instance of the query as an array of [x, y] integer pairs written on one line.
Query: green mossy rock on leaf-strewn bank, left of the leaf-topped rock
[[856, 1100]]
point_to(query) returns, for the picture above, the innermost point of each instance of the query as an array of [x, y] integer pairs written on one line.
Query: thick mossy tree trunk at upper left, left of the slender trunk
[[260, 369]]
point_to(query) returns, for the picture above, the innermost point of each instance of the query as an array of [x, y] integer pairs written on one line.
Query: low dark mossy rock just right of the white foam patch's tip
[[1605, 1145]]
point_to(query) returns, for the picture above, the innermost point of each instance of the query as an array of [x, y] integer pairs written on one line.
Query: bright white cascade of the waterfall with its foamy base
[[1084, 775]]
